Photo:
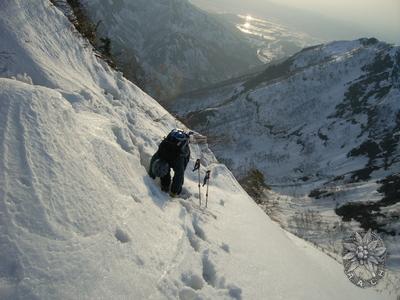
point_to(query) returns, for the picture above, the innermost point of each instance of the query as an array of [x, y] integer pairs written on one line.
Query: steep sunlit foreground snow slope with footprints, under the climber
[[80, 218]]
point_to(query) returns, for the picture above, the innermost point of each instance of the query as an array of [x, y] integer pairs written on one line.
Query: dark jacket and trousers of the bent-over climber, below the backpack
[[178, 164]]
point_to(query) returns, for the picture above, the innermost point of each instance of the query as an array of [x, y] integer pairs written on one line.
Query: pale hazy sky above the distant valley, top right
[[354, 18]]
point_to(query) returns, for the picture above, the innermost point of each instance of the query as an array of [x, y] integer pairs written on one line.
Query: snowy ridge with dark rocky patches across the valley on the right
[[323, 127]]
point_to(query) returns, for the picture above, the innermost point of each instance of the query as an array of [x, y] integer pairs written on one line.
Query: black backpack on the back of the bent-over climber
[[171, 147]]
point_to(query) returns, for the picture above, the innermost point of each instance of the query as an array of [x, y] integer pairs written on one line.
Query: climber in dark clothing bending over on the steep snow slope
[[173, 152]]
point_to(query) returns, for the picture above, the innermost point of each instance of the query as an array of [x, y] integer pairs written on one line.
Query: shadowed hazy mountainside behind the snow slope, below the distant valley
[[179, 46]]
